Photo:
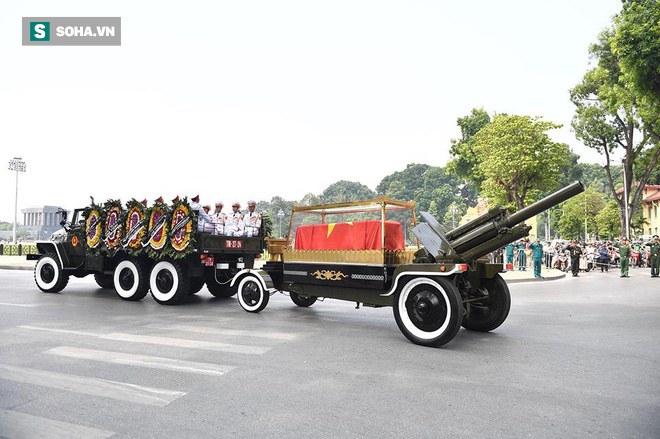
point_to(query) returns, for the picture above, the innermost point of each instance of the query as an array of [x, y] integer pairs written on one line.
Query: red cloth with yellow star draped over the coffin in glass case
[[357, 235]]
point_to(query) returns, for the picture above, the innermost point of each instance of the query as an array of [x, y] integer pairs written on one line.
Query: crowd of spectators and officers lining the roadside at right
[[583, 257]]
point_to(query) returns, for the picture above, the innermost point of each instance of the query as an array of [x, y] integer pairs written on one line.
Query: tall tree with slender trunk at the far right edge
[[617, 104]]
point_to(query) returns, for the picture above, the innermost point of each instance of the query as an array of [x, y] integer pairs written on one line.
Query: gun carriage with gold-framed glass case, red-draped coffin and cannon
[[435, 288]]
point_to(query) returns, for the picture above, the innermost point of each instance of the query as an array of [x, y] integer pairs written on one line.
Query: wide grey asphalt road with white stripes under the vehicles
[[578, 357]]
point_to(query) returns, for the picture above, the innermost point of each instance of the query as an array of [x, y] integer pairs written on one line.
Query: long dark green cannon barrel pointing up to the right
[[496, 228]]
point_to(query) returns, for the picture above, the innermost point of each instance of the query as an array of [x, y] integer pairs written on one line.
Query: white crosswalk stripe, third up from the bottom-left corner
[[142, 361]]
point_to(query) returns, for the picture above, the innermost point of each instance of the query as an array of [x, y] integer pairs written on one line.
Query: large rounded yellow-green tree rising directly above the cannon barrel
[[517, 159]]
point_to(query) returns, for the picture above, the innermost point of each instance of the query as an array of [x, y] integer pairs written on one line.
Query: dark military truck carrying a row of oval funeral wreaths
[[138, 250]]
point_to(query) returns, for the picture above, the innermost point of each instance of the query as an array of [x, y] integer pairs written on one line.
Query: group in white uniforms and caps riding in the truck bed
[[235, 223]]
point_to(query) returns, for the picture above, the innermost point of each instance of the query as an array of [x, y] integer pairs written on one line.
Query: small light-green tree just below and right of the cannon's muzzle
[[584, 206]]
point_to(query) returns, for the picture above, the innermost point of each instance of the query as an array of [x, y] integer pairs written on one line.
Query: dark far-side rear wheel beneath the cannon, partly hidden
[[490, 313]]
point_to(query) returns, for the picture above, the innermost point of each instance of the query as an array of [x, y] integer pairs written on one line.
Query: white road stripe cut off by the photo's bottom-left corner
[[16, 425]]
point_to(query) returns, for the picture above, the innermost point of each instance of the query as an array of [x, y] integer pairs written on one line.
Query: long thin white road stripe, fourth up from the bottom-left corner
[[164, 341]]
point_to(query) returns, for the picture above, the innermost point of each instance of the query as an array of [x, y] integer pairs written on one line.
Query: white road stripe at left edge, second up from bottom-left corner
[[90, 386]]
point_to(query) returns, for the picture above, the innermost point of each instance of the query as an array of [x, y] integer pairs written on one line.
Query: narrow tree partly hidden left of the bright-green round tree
[[464, 159]]
